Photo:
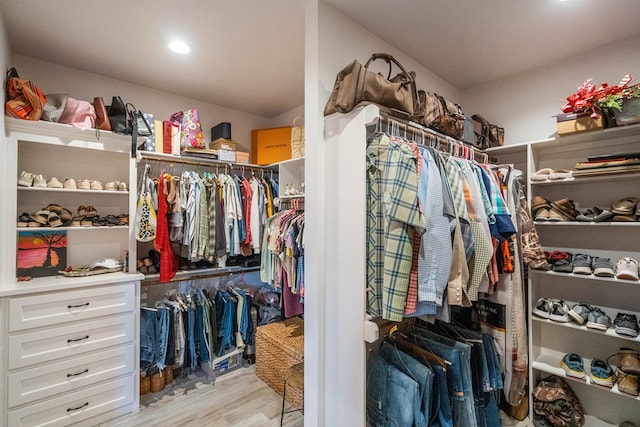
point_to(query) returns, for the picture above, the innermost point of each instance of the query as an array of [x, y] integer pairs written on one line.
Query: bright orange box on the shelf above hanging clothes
[[270, 145]]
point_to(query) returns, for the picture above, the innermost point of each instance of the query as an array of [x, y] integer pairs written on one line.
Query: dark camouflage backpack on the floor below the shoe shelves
[[555, 404]]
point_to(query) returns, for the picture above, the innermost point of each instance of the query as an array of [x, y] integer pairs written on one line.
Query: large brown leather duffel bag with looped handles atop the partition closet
[[356, 84]]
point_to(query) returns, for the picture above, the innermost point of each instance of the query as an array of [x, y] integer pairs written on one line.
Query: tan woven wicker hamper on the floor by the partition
[[279, 346]]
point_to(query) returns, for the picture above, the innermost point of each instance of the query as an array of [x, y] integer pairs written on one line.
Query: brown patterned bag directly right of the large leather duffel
[[440, 114]]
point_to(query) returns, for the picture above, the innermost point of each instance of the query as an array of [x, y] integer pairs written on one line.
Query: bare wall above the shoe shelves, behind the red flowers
[[525, 104]]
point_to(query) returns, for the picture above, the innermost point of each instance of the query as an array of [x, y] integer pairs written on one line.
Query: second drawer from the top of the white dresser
[[47, 345]]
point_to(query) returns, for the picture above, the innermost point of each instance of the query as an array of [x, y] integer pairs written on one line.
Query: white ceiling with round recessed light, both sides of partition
[[249, 54]]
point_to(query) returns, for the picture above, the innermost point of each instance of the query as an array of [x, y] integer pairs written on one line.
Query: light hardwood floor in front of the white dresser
[[237, 399]]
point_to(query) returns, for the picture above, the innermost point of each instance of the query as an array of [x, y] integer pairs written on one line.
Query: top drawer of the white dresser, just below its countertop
[[68, 306]]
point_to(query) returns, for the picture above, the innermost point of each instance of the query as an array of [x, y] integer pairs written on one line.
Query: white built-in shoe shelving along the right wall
[[549, 340]]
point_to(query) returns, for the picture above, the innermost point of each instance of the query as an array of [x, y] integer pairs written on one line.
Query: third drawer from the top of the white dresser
[[69, 375]]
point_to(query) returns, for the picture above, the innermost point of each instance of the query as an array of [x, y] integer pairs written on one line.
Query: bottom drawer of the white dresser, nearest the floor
[[75, 408]]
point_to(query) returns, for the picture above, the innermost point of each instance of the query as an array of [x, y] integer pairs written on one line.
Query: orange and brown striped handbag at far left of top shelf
[[25, 100]]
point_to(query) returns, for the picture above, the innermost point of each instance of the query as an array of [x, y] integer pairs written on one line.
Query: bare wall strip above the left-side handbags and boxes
[[54, 78]]
